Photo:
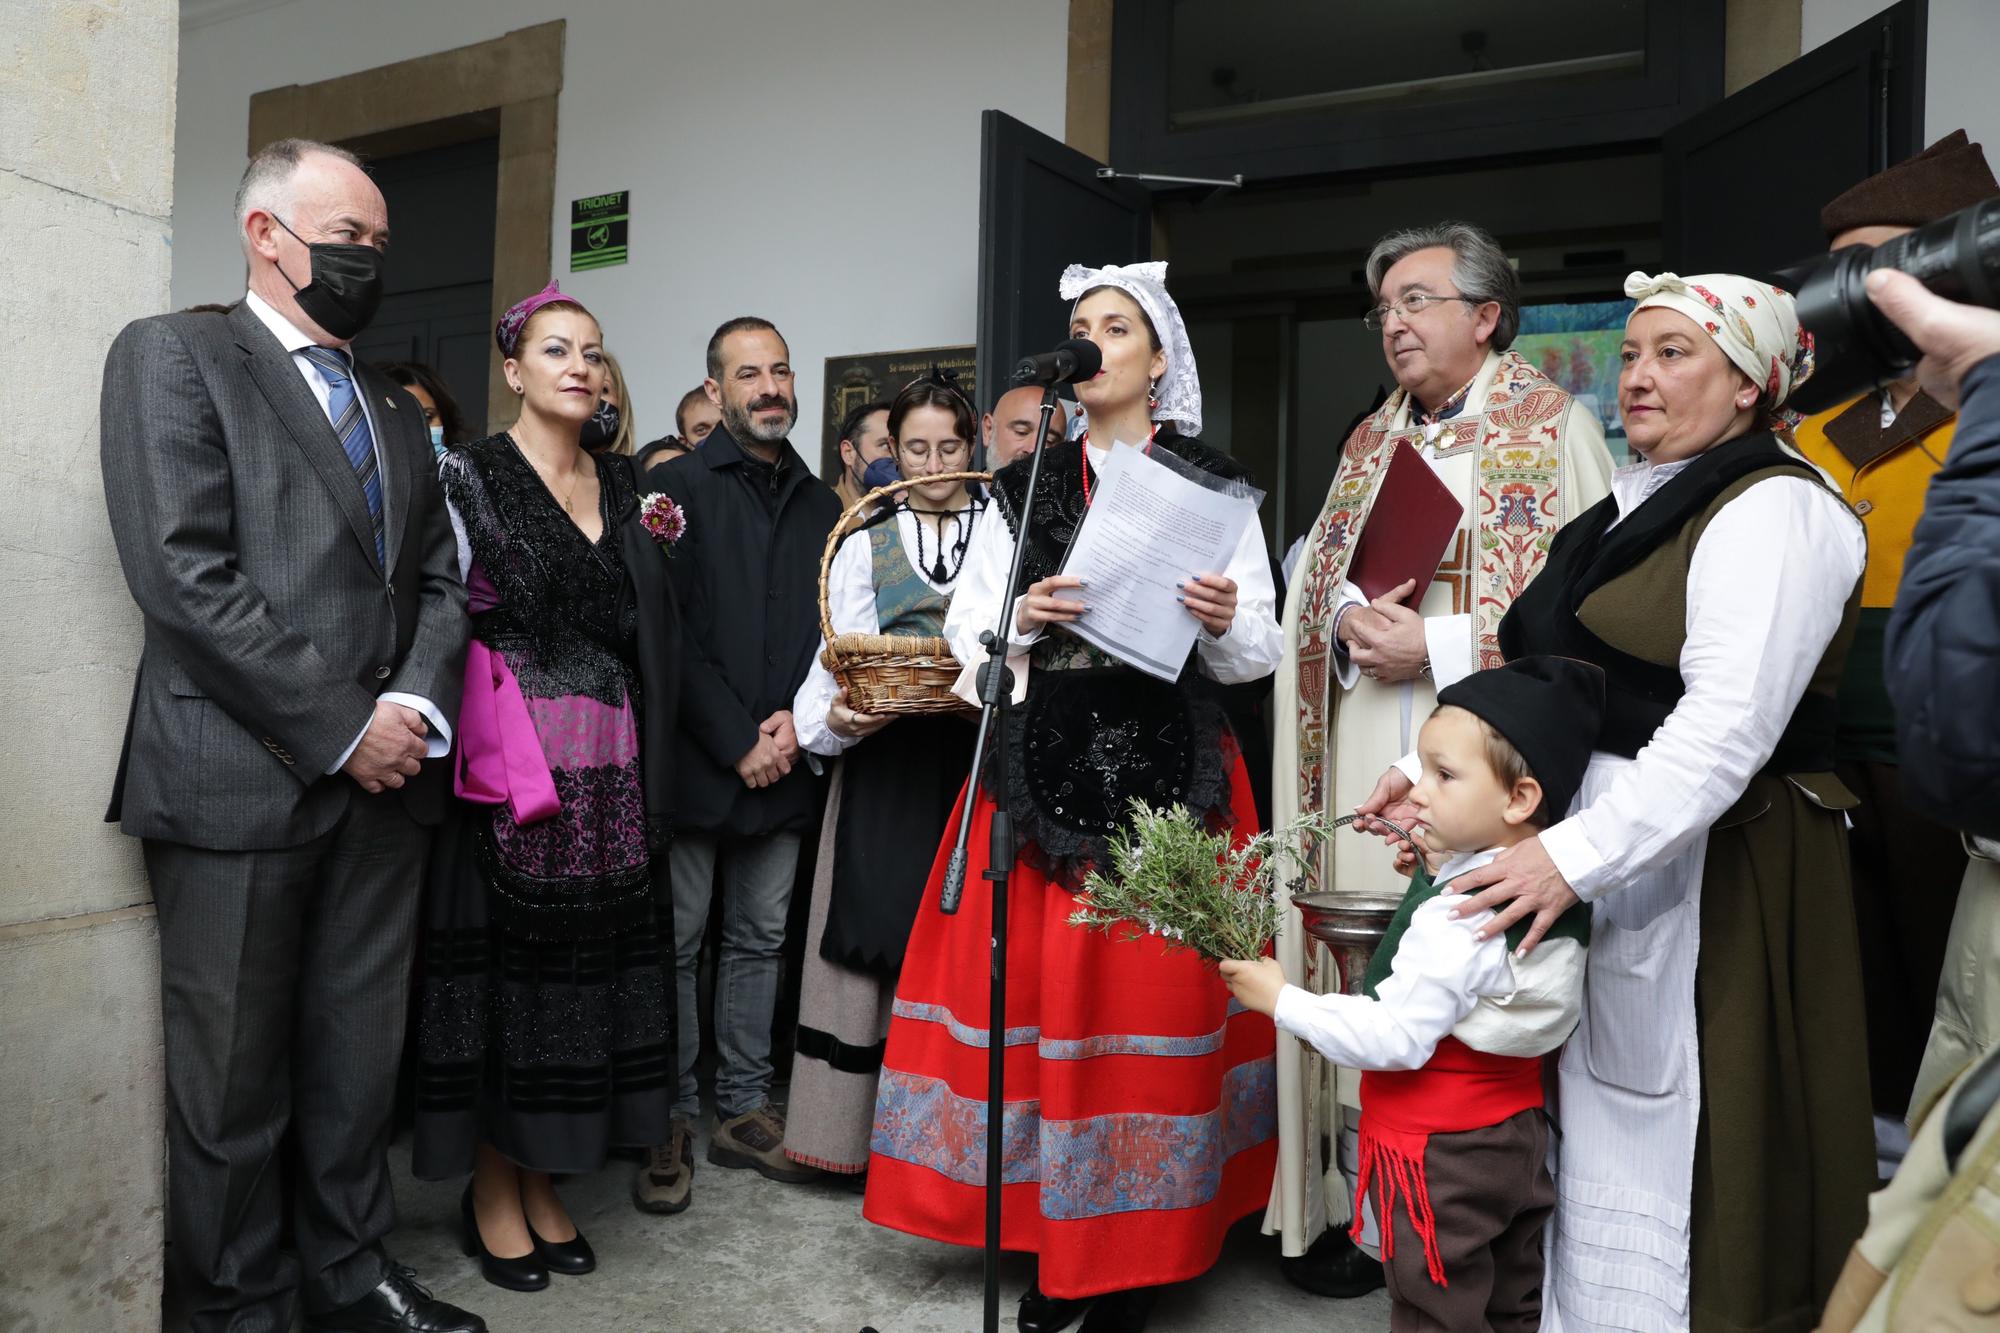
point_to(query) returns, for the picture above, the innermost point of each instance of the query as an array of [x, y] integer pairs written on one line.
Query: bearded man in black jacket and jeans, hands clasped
[[747, 575]]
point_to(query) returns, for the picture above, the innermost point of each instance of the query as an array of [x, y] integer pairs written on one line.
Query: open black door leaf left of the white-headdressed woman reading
[[1043, 207]]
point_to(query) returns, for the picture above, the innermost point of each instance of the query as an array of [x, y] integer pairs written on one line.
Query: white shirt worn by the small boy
[[1447, 984]]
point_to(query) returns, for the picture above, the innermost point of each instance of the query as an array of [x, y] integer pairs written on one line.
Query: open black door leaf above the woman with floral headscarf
[[1747, 179]]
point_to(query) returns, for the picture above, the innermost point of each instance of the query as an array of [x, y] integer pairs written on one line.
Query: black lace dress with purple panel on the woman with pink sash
[[547, 960]]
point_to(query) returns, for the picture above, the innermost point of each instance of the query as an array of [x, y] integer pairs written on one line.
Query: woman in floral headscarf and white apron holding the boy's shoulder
[[1717, 1140]]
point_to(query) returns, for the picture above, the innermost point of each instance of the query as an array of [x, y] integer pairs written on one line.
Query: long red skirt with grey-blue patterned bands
[[1141, 1104]]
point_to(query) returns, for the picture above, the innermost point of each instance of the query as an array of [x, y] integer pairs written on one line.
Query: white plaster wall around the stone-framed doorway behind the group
[[805, 161]]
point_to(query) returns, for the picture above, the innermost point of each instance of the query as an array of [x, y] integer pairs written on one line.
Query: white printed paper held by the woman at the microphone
[[1149, 527]]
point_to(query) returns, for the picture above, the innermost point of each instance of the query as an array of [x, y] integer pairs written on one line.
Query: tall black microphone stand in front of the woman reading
[[997, 694]]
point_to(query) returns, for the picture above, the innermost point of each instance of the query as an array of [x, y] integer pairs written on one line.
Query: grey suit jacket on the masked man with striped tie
[[271, 627]]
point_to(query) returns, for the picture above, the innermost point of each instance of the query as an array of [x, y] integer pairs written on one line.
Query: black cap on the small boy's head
[[1549, 708]]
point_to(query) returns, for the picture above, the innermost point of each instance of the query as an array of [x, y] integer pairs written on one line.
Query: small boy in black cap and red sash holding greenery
[[1451, 1030]]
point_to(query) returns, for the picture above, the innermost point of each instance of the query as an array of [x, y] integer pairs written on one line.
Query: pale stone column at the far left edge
[[87, 187]]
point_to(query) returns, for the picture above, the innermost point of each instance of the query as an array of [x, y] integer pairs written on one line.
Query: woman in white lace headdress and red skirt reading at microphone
[[1141, 1116]]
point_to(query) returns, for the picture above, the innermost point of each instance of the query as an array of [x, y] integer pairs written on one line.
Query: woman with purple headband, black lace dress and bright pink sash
[[547, 1000]]
